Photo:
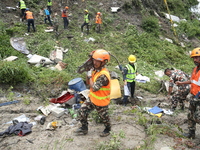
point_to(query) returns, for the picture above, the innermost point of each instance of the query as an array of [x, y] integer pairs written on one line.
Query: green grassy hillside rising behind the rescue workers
[[135, 29]]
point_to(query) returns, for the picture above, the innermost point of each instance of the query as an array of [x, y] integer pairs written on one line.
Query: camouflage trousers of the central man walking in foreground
[[87, 107]]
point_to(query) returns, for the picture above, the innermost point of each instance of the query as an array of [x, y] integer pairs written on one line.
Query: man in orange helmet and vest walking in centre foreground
[[98, 79]]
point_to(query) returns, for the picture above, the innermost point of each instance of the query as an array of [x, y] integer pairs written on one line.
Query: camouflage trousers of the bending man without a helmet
[[179, 97]]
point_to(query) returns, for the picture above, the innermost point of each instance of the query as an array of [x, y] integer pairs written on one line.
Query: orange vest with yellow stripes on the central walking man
[[102, 96]]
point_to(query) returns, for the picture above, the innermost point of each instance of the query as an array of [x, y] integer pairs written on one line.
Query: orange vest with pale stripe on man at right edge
[[195, 82]]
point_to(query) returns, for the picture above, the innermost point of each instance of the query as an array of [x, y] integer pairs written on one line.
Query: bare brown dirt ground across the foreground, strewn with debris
[[124, 122]]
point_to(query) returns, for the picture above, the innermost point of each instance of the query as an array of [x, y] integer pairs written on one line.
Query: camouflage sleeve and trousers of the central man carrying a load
[[88, 106]]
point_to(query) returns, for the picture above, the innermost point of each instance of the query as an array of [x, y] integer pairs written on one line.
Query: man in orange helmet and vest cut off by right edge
[[194, 107]]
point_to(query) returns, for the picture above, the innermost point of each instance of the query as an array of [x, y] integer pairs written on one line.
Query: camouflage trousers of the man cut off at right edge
[[194, 113]]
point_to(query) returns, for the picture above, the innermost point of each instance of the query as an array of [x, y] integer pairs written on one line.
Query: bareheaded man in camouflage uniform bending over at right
[[183, 90]]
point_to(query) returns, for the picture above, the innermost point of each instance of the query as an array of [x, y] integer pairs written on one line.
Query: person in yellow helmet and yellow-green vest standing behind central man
[[129, 75]]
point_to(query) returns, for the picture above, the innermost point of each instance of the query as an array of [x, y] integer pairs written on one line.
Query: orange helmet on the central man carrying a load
[[101, 55]]
